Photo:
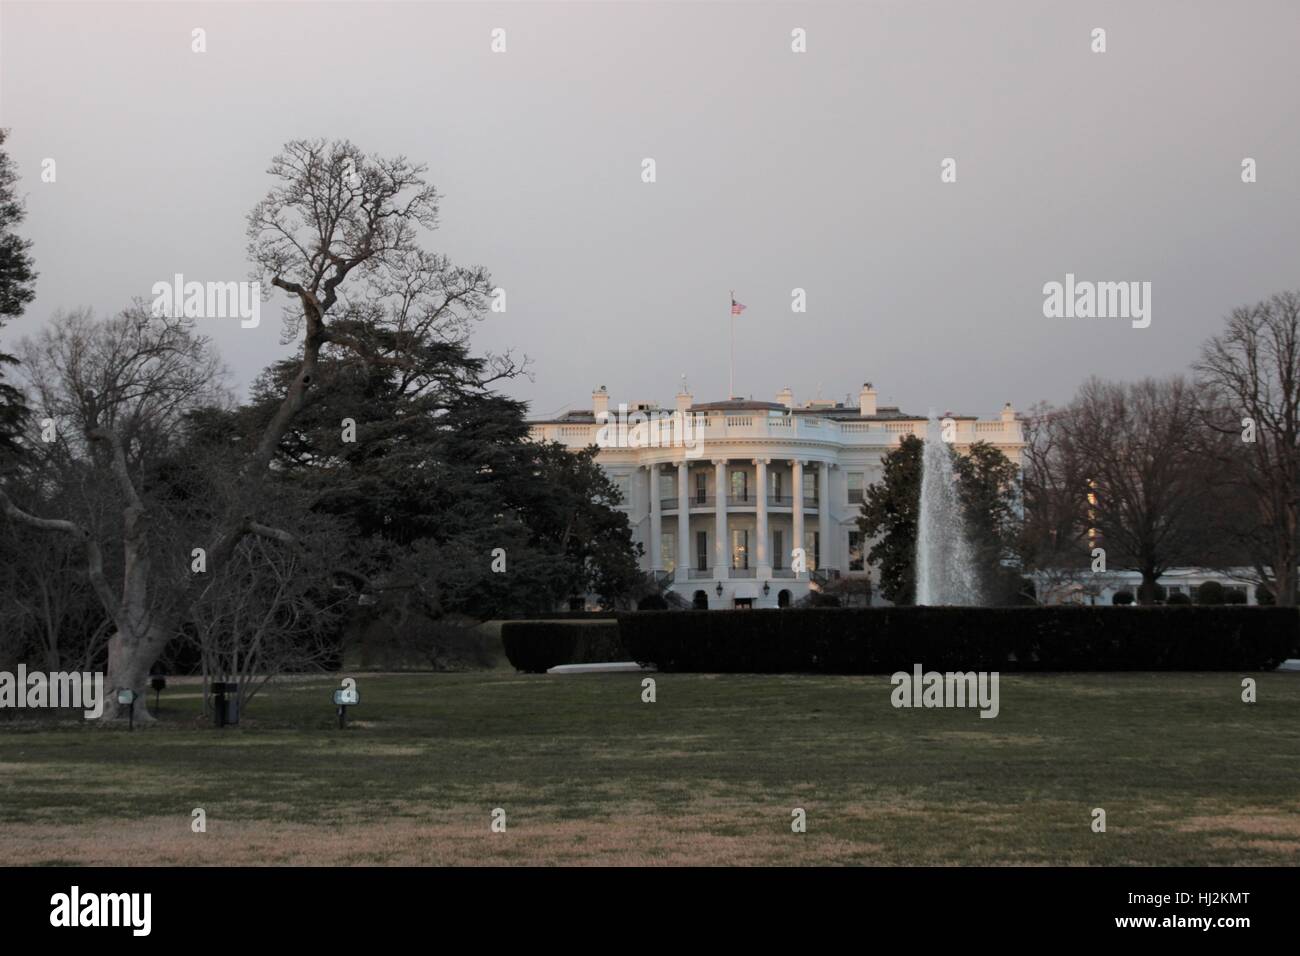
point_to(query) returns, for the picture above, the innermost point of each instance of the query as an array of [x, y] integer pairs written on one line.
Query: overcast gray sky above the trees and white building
[[775, 171]]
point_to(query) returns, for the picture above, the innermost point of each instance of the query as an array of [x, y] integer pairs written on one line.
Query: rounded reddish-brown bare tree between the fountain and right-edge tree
[[1149, 488]]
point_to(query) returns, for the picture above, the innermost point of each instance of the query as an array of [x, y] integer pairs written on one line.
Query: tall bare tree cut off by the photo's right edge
[[1250, 375]]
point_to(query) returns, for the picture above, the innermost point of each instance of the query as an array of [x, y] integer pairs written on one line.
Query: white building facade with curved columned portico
[[747, 504]]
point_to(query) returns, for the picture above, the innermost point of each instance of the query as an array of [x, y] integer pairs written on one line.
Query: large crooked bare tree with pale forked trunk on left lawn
[[335, 222]]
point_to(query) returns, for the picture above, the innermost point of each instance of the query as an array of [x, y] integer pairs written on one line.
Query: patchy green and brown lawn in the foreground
[[709, 775]]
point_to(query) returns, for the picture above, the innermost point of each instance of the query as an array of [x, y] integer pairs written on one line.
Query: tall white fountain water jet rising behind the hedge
[[946, 566]]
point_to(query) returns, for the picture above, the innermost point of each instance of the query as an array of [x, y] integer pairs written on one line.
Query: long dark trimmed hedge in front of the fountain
[[872, 641]]
